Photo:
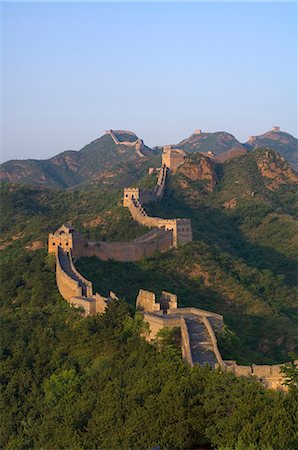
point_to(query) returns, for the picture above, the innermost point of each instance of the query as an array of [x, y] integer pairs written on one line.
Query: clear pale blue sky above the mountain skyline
[[72, 70]]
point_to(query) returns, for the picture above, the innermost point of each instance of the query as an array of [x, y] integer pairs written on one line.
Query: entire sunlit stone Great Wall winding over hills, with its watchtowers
[[198, 328]]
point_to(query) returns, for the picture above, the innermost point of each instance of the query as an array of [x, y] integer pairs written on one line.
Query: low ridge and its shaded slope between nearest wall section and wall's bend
[[257, 306]]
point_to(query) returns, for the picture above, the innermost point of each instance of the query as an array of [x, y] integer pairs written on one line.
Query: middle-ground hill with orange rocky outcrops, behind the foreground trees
[[242, 264]]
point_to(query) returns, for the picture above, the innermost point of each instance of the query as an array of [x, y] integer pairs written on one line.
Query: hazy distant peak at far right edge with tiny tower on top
[[284, 143]]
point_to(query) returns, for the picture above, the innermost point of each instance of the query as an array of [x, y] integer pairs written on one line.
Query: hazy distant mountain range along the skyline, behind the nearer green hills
[[120, 158]]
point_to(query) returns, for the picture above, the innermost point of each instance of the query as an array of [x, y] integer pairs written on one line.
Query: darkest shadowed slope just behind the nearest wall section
[[157, 274]]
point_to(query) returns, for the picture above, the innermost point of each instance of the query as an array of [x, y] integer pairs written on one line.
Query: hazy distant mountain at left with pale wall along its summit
[[102, 161]]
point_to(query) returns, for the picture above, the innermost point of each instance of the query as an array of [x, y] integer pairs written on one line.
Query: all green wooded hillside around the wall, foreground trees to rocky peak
[[69, 382]]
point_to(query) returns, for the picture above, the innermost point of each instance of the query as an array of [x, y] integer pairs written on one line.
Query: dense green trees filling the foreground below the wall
[[68, 382]]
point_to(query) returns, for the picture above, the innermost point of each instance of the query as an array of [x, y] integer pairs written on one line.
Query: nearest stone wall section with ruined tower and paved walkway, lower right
[[198, 339]]
